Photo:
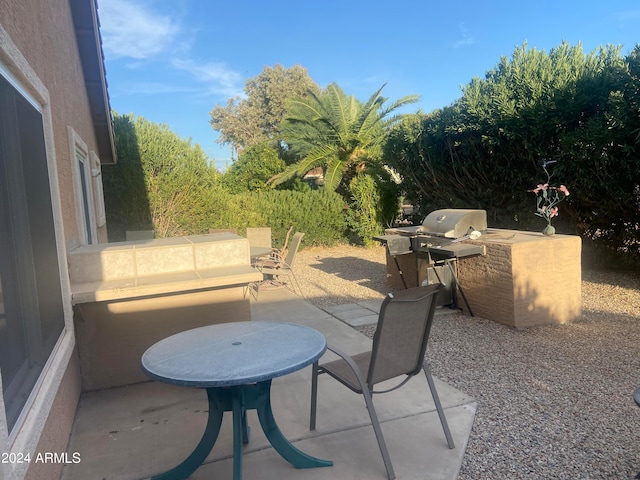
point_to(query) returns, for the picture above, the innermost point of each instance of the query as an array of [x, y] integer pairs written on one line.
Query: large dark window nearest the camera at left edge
[[31, 308]]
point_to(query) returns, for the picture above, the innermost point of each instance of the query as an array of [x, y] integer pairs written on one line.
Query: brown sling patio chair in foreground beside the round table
[[399, 346]]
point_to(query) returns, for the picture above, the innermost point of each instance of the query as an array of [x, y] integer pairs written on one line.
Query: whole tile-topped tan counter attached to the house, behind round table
[[129, 295]]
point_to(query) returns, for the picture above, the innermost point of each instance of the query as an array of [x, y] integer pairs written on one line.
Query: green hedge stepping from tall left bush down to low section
[[163, 183]]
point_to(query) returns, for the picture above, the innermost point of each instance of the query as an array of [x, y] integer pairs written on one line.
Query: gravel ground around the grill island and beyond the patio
[[554, 402]]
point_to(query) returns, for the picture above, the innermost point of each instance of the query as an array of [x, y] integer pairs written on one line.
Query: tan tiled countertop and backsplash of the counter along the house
[[116, 271]]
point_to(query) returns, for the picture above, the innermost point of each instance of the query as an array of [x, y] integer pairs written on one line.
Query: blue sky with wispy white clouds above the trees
[[172, 61]]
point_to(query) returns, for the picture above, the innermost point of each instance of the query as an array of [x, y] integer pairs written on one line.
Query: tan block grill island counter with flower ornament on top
[[525, 278]]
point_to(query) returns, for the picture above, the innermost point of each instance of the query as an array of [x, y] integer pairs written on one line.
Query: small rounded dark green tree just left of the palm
[[254, 167]]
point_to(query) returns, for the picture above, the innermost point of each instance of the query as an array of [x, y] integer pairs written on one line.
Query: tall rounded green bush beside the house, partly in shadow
[[162, 182]]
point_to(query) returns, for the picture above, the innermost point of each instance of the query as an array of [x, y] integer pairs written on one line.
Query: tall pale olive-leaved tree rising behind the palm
[[245, 122]]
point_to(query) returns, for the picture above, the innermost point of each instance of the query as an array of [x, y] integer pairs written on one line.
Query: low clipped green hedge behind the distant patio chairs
[[317, 213]]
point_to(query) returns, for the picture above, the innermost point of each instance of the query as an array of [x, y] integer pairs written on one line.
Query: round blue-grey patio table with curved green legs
[[235, 363]]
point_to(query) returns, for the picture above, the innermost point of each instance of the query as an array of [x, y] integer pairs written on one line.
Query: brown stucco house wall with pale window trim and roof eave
[[40, 53]]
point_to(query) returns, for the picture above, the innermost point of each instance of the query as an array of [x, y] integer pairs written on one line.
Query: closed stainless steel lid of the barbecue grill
[[454, 222]]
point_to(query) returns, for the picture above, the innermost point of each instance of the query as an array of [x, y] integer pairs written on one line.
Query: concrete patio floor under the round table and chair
[[134, 432]]
